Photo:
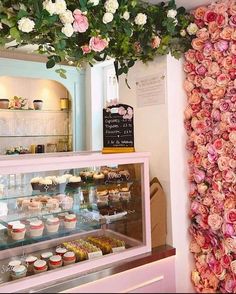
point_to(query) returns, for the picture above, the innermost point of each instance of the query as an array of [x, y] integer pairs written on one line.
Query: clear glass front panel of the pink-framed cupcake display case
[[91, 211]]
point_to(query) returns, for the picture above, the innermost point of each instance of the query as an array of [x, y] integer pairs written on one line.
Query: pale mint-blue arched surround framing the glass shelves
[[75, 84]]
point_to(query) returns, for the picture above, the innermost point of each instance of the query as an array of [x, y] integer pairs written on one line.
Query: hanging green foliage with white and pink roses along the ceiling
[[95, 30]]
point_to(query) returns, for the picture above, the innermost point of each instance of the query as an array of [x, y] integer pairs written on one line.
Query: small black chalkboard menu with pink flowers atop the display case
[[118, 129]]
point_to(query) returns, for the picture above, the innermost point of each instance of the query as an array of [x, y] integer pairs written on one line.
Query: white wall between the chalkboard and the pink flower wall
[[159, 129]]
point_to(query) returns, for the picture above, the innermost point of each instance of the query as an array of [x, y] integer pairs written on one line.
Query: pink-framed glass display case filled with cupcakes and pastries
[[64, 214]]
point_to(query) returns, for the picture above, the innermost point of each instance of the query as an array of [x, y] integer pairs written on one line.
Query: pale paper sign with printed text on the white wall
[[150, 90]]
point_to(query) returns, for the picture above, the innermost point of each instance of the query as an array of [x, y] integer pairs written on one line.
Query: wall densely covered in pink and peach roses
[[210, 121]]
